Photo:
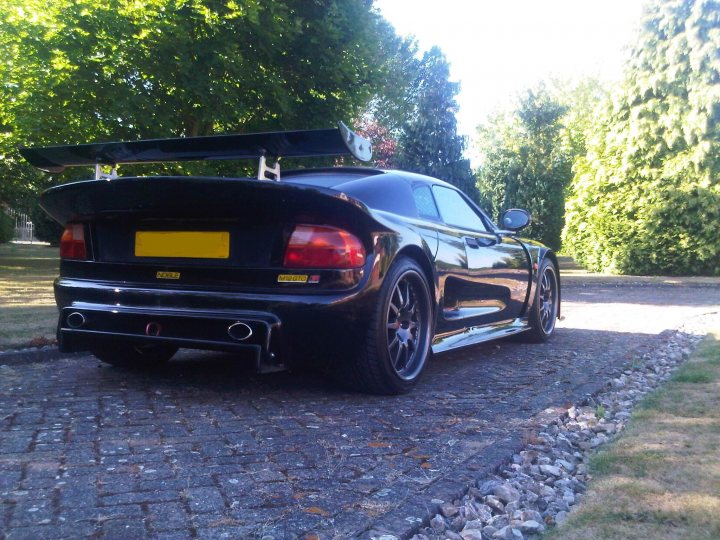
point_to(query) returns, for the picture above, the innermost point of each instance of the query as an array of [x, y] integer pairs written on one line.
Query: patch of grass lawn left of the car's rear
[[27, 307]]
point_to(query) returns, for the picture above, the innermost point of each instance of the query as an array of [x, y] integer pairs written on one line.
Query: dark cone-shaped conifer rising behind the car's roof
[[429, 143]]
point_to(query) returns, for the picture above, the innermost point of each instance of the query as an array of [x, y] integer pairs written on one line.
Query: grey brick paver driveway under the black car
[[205, 449]]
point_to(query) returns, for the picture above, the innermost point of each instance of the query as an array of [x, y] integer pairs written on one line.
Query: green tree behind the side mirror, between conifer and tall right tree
[[526, 164]]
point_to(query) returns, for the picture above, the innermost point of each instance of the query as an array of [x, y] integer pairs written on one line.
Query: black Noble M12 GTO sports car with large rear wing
[[369, 270]]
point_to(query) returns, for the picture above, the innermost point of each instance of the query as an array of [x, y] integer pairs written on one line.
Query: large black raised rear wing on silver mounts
[[304, 143]]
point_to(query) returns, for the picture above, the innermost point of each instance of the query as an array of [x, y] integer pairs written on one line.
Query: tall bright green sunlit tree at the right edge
[[646, 197]]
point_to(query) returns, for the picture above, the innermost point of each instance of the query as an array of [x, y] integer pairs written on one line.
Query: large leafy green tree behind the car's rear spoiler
[[78, 70]]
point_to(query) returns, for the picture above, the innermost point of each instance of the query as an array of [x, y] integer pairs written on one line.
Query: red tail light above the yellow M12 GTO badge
[[315, 246]]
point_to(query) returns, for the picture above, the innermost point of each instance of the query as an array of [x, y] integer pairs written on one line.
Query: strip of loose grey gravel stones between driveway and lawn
[[548, 477]]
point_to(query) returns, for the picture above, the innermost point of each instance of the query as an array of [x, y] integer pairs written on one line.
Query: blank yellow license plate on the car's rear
[[183, 244]]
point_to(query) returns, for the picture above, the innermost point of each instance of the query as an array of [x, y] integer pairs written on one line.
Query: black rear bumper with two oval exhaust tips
[[93, 313]]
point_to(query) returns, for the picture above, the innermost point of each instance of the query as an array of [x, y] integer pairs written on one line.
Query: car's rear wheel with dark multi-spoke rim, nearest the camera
[[397, 343]]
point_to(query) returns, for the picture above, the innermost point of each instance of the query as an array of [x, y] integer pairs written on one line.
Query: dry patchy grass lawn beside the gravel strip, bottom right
[[661, 478]]
